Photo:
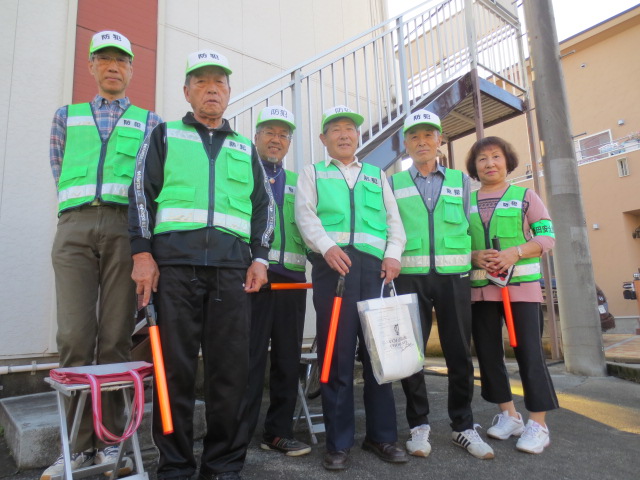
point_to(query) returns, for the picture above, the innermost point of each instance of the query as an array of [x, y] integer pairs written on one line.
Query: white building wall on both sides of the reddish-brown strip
[[261, 40]]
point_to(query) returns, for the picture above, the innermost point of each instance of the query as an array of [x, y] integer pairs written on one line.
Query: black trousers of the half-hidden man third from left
[[277, 316]]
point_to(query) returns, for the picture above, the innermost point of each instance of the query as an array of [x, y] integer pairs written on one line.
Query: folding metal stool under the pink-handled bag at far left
[[68, 439]]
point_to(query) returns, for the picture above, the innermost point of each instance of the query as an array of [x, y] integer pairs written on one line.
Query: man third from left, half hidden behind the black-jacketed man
[[278, 315]]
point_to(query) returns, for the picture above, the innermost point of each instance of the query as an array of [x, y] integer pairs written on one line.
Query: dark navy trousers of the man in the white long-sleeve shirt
[[361, 283]]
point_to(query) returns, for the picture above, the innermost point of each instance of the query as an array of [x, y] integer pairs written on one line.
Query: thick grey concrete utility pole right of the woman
[[579, 318]]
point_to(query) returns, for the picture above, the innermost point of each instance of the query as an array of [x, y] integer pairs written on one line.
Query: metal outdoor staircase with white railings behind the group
[[462, 59]]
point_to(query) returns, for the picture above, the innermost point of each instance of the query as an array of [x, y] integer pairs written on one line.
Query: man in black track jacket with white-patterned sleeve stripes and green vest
[[201, 228]]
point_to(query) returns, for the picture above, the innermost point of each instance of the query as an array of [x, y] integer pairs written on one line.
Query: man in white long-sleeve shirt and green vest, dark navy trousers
[[348, 217]]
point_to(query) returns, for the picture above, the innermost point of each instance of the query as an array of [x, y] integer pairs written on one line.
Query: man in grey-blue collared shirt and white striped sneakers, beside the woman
[[434, 206]]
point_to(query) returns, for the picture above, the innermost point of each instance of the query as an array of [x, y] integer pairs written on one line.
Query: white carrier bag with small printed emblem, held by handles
[[393, 335]]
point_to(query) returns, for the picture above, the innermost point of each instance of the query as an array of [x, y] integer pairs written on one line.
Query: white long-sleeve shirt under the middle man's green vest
[[311, 227]]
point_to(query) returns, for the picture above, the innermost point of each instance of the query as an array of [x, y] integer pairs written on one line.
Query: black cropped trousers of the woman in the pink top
[[539, 394]]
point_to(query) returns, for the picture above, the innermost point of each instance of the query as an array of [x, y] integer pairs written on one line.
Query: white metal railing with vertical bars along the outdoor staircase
[[383, 72]]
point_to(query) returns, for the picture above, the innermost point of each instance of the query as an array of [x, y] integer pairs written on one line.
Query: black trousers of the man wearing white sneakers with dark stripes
[[450, 295]]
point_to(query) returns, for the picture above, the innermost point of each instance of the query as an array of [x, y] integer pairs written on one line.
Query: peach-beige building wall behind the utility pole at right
[[601, 68]]
